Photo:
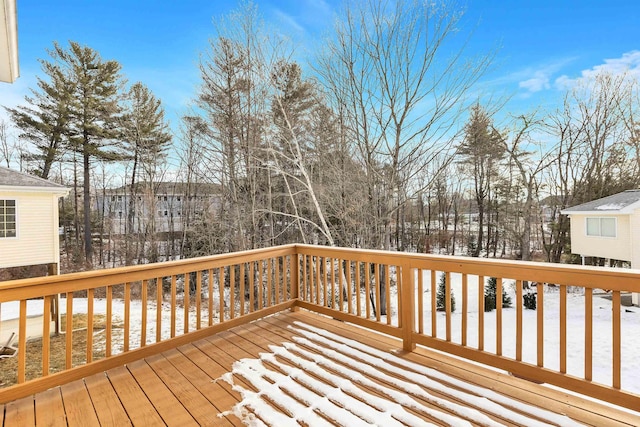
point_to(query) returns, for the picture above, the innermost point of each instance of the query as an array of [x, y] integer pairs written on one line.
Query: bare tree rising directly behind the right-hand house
[[589, 130]]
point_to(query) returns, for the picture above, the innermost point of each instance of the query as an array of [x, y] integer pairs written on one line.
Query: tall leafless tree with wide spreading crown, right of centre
[[400, 92]]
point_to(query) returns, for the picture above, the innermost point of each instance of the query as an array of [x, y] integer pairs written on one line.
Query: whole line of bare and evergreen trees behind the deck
[[376, 143]]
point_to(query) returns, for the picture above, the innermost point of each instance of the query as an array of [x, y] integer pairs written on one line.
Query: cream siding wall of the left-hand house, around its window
[[38, 240]]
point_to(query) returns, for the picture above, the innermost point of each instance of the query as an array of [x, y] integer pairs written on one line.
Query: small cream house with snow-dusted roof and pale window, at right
[[608, 228]]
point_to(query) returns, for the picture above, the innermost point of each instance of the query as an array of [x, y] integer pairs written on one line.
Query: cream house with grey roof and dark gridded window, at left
[[29, 229]]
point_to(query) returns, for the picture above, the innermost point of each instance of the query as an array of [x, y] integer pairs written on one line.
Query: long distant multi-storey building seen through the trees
[[160, 207]]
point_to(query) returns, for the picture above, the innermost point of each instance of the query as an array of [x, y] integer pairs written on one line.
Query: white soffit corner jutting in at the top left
[[8, 41]]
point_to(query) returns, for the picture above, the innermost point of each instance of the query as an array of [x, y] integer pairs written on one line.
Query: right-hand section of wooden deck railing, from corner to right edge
[[542, 339]]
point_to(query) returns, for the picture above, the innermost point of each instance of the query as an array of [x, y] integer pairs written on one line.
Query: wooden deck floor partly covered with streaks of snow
[[303, 365]]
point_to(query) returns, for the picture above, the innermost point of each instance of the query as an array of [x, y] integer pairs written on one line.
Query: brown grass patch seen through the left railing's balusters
[[58, 350]]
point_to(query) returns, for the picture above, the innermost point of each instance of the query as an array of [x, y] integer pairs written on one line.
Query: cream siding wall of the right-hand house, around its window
[[604, 247]]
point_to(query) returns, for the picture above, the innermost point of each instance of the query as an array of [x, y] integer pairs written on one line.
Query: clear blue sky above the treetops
[[542, 45]]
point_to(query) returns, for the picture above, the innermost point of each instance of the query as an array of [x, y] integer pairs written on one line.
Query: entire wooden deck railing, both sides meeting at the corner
[[390, 292]]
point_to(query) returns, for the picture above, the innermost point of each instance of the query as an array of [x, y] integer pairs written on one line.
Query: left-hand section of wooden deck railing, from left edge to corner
[[111, 317]]
